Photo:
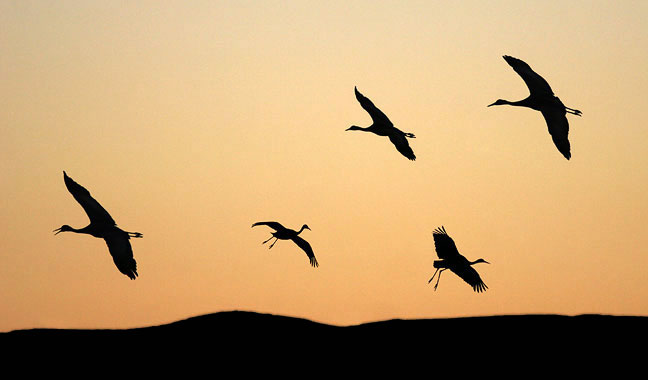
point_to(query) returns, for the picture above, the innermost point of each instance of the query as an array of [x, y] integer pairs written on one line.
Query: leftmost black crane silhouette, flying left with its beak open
[[103, 226]]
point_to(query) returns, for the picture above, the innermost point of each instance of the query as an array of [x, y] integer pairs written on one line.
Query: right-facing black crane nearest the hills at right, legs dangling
[[453, 260]]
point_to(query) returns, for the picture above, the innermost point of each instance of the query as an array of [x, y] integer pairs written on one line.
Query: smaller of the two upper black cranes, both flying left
[[382, 126]]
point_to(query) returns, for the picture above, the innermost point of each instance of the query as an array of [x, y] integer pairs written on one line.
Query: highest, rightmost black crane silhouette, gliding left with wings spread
[[542, 99]]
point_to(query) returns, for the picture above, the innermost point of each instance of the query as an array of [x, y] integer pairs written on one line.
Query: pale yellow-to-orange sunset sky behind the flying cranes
[[190, 122]]
